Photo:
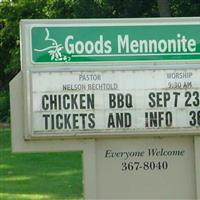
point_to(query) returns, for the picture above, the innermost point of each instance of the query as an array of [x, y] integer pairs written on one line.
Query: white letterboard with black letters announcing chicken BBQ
[[114, 102]]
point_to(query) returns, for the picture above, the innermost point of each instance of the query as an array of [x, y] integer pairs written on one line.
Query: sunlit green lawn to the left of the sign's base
[[35, 176]]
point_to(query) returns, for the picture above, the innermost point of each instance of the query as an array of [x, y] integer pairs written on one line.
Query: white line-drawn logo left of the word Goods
[[54, 50]]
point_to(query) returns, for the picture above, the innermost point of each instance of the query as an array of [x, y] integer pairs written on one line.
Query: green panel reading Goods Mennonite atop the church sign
[[115, 43]]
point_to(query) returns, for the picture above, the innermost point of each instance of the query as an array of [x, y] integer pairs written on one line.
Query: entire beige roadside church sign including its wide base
[[125, 96]]
